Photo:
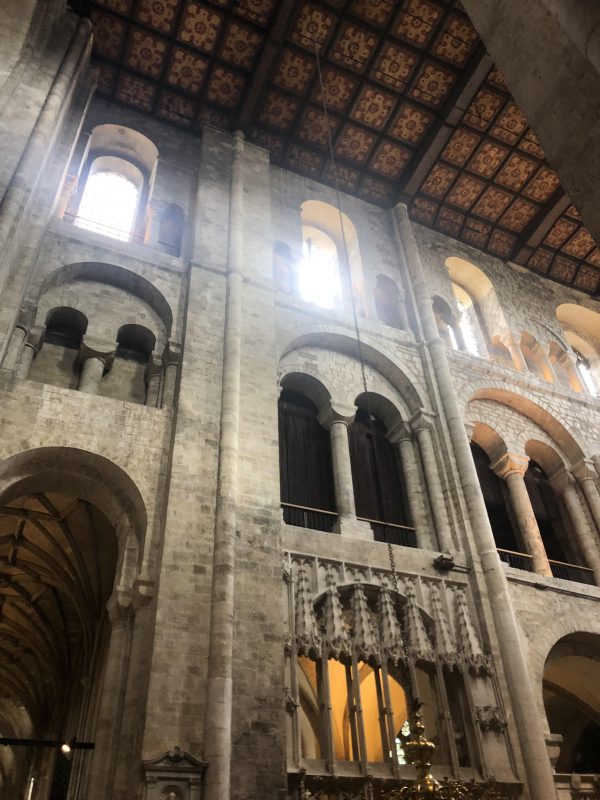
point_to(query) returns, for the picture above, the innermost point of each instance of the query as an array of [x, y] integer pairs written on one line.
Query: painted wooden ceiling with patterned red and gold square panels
[[417, 111]]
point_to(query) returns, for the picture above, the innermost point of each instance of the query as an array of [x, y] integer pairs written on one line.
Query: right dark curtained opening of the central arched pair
[[379, 489]]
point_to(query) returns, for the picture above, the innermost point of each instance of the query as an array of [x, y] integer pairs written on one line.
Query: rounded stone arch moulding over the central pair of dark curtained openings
[[327, 339]]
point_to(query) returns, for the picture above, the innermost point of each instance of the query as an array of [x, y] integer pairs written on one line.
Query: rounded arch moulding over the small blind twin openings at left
[[113, 275]]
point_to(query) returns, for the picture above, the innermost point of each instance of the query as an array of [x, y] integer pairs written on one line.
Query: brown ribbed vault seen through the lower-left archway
[[58, 555]]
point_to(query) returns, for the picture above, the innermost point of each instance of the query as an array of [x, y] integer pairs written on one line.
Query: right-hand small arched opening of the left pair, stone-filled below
[[126, 379]]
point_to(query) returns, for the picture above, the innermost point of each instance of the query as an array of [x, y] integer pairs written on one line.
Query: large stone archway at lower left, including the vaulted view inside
[[69, 553]]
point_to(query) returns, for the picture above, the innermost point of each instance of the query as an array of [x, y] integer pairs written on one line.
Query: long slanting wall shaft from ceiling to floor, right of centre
[[487, 567]]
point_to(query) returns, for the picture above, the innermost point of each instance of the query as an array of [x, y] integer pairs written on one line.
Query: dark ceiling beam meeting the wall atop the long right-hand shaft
[[452, 113]]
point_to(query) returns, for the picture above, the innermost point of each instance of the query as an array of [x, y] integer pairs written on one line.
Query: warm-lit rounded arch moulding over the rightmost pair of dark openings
[[512, 396]]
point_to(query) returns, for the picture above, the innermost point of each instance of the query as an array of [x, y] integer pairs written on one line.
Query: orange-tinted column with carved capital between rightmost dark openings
[[511, 467]]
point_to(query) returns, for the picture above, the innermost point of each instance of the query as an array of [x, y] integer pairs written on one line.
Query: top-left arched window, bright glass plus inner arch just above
[[110, 198]]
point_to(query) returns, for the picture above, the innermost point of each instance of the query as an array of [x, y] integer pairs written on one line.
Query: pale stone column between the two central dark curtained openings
[[337, 422]]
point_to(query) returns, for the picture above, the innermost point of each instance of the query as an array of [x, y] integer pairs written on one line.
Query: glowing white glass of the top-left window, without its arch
[[108, 205]]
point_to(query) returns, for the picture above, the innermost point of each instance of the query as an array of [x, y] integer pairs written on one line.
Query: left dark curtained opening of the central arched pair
[[305, 467]]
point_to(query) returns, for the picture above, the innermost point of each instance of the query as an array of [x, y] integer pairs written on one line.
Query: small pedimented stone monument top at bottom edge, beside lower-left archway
[[173, 775]]
